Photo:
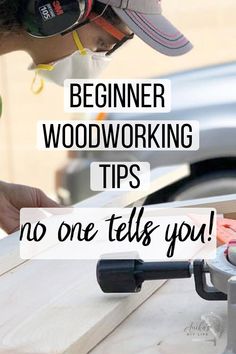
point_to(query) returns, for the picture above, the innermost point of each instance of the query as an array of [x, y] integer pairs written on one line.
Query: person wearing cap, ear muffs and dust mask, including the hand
[[82, 50]]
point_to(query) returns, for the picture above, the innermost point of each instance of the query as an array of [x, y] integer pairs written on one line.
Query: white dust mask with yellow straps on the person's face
[[82, 64]]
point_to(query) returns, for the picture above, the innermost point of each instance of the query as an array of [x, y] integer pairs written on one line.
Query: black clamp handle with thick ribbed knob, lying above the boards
[[128, 275]]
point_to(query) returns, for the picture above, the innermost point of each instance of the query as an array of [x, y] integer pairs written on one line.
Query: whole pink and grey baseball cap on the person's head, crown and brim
[[145, 19]]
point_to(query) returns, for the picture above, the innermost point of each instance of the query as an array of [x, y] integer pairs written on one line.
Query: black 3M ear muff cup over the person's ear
[[46, 18]]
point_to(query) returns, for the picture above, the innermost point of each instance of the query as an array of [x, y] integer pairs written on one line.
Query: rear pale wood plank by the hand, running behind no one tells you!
[[160, 177]]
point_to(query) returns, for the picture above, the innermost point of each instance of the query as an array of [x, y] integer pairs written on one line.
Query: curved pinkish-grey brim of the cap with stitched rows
[[156, 31]]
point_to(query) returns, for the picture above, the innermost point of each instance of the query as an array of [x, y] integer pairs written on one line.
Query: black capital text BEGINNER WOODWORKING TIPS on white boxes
[[120, 96]]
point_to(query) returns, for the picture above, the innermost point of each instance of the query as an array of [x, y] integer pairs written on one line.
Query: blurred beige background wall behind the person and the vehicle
[[210, 25]]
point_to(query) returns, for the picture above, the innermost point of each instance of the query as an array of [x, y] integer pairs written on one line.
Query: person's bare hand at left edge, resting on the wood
[[13, 197]]
